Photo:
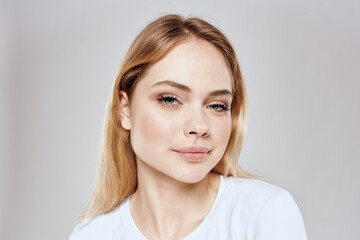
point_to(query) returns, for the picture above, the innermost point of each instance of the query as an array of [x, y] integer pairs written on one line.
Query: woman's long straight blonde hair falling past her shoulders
[[117, 176]]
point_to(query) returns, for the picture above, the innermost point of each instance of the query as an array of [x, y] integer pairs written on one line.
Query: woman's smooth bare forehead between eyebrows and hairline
[[194, 63]]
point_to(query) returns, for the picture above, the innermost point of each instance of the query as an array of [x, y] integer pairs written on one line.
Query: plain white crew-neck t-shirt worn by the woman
[[244, 209]]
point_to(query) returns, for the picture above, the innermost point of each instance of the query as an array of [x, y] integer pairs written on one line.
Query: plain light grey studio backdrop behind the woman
[[300, 60]]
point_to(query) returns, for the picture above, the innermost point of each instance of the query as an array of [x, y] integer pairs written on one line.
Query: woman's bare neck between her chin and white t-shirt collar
[[164, 208]]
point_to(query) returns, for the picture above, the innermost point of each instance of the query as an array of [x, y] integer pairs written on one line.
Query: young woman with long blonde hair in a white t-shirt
[[174, 129]]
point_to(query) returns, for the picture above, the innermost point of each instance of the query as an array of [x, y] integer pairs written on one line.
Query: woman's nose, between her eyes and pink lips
[[197, 124]]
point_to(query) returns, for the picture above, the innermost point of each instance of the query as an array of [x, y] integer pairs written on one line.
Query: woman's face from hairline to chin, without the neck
[[180, 118]]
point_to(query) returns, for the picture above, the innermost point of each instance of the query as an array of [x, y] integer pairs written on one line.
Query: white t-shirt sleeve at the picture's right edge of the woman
[[280, 219]]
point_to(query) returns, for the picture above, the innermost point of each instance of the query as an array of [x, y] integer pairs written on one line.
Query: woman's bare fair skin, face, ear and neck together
[[180, 123]]
